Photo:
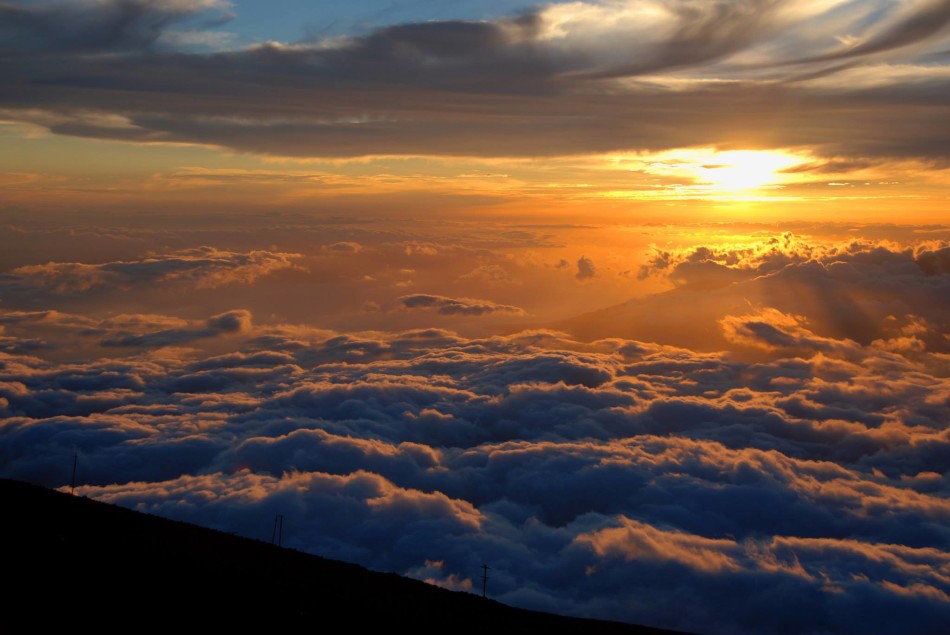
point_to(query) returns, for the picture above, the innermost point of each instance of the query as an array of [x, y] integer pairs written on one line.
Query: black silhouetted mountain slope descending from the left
[[78, 562]]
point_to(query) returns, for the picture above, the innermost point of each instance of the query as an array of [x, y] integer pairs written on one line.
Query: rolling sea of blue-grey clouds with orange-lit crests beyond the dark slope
[[797, 484]]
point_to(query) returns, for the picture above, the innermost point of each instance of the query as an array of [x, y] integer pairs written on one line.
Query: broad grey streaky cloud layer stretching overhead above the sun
[[566, 78]]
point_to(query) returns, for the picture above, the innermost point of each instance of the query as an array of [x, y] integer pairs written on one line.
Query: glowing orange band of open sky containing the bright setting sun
[[42, 171]]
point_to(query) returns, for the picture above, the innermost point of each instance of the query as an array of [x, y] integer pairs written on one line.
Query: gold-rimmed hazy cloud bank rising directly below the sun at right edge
[[861, 290]]
